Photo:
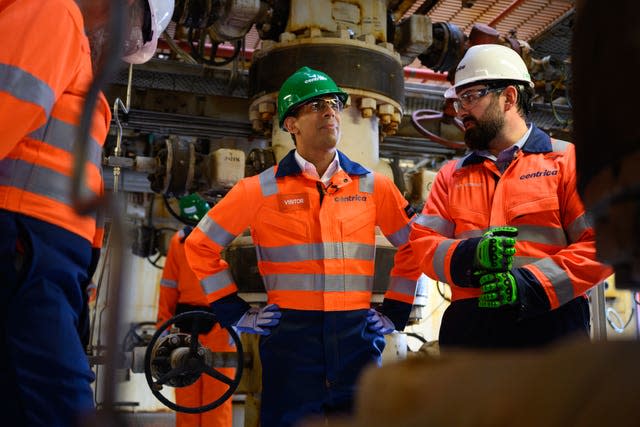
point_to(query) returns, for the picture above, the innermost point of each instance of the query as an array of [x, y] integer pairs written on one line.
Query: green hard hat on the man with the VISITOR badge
[[303, 85]]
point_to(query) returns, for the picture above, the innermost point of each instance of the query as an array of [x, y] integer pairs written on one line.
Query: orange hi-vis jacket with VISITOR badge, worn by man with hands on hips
[[315, 245]]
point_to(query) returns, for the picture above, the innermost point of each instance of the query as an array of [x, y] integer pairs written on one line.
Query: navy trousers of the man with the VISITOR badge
[[311, 362]]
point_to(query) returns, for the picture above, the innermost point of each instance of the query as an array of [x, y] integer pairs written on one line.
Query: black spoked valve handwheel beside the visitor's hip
[[179, 360]]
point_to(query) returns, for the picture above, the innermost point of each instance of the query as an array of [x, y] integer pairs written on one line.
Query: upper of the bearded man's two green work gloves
[[495, 249]]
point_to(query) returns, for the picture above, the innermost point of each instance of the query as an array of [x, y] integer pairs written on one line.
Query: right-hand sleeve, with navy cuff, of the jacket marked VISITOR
[[395, 216]]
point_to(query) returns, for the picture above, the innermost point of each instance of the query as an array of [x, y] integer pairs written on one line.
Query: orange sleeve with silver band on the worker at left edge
[[32, 78]]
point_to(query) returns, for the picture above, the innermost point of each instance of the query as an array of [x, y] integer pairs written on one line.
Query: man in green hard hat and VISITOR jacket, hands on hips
[[313, 221]]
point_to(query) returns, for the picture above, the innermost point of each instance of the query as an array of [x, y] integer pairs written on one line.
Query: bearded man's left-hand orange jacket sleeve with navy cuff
[[439, 254]]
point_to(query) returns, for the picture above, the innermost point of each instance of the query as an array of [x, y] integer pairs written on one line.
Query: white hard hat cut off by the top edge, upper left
[[139, 50]]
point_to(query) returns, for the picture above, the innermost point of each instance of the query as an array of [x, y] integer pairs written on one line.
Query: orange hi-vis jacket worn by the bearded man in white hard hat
[[537, 194]]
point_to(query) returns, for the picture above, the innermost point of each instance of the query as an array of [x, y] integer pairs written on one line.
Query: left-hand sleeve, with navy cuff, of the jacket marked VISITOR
[[223, 223]]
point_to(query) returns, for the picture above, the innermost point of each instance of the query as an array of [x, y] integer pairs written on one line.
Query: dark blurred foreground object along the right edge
[[607, 142]]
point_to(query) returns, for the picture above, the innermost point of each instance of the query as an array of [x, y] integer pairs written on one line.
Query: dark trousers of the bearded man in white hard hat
[[465, 325]]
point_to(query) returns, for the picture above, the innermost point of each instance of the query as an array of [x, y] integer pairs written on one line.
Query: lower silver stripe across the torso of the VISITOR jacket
[[317, 282]]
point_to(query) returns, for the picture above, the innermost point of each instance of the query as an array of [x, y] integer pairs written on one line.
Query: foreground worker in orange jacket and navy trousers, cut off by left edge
[[47, 250]]
